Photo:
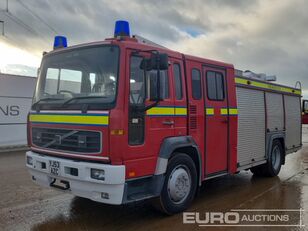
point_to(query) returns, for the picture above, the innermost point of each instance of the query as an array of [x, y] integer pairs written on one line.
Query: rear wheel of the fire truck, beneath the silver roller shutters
[[274, 162]]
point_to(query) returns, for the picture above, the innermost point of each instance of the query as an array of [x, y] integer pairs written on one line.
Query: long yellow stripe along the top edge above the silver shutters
[[267, 86]]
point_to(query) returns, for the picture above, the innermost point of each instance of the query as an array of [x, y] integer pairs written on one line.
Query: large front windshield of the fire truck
[[77, 77]]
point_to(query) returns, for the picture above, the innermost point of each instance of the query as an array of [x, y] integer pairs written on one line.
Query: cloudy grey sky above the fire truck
[[259, 35]]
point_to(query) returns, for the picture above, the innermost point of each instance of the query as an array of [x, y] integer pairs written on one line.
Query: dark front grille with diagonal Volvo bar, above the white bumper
[[67, 140]]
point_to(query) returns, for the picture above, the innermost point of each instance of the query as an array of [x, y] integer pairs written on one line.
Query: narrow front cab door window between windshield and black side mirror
[[137, 81]]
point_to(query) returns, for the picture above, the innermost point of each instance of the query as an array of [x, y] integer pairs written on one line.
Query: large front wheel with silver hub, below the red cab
[[180, 185]]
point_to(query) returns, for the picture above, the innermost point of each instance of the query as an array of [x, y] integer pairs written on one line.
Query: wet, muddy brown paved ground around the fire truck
[[25, 206]]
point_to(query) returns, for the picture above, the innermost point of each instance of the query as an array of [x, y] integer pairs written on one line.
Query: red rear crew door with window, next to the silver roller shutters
[[216, 120]]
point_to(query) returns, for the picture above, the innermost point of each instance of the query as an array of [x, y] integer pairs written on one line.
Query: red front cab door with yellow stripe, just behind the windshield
[[146, 128]]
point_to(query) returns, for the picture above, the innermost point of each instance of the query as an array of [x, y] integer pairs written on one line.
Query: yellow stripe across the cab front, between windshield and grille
[[70, 119]]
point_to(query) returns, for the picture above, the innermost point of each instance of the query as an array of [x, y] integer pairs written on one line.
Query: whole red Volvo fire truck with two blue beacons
[[124, 119]]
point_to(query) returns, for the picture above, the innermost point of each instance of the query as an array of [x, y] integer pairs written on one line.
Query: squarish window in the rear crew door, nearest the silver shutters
[[215, 85]]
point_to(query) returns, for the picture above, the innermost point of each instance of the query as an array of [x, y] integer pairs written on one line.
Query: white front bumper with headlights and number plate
[[81, 184]]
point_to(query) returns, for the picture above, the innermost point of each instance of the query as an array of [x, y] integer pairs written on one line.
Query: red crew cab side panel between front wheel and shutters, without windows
[[215, 134]]
